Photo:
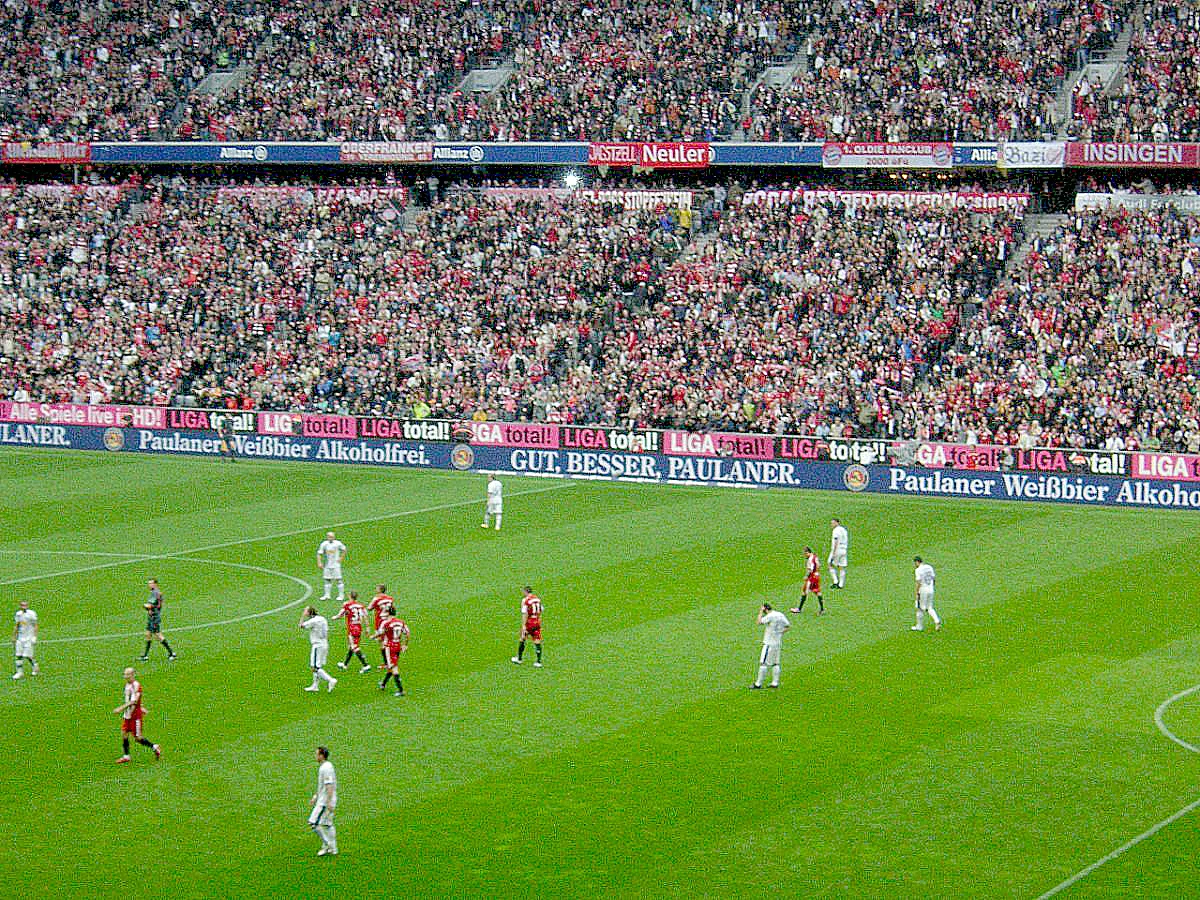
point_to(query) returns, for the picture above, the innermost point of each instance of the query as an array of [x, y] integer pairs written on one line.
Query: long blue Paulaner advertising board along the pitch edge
[[632, 466]]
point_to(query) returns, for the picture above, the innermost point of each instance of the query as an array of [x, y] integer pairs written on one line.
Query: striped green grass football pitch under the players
[[994, 759]]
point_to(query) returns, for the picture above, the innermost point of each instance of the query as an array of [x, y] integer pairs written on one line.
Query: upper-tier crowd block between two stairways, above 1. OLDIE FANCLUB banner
[[953, 71]]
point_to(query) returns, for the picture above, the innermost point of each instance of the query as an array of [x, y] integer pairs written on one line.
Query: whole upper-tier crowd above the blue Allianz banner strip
[[583, 70]]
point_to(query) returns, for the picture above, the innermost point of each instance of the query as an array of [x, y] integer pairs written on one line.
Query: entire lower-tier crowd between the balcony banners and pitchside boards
[[801, 317]]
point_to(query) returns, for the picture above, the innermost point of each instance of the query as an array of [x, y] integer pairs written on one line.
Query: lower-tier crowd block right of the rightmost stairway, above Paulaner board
[[1097, 344]]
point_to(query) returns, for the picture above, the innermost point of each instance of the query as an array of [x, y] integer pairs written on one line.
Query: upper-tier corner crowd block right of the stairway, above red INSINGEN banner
[[1156, 98]]
